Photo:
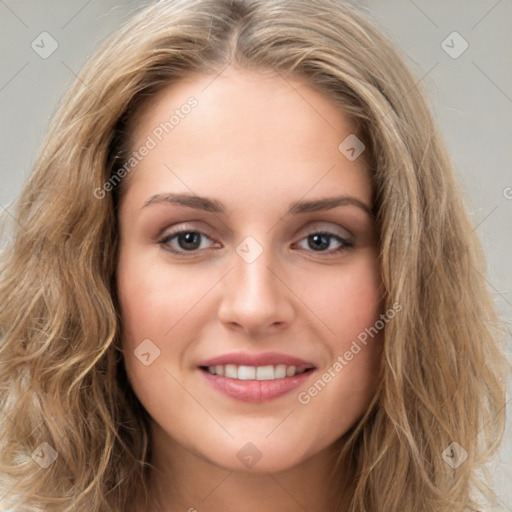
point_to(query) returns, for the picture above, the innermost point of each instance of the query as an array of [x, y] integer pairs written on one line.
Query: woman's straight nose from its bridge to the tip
[[254, 297]]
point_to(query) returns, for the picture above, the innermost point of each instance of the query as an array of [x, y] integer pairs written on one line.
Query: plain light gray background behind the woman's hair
[[471, 97]]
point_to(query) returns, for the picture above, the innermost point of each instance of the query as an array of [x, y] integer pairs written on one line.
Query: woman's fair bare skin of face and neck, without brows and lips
[[257, 143]]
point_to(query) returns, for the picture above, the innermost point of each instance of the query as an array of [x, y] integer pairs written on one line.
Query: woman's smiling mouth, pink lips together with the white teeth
[[255, 382]]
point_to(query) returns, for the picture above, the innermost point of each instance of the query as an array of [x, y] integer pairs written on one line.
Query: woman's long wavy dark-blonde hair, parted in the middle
[[62, 378]]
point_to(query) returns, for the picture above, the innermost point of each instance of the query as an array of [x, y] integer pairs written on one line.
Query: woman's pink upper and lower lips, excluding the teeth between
[[256, 390]]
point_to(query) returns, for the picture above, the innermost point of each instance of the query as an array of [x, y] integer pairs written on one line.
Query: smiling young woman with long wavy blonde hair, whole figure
[[242, 277]]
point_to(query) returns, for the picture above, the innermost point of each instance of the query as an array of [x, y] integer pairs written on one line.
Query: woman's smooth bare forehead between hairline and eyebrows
[[248, 136]]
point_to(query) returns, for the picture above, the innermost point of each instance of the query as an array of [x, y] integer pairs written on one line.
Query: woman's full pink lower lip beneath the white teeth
[[255, 390]]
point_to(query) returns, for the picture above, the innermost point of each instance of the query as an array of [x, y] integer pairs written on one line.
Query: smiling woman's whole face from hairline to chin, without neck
[[244, 295]]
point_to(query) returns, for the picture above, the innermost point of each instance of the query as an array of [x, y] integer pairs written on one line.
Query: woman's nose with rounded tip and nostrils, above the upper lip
[[255, 296]]
